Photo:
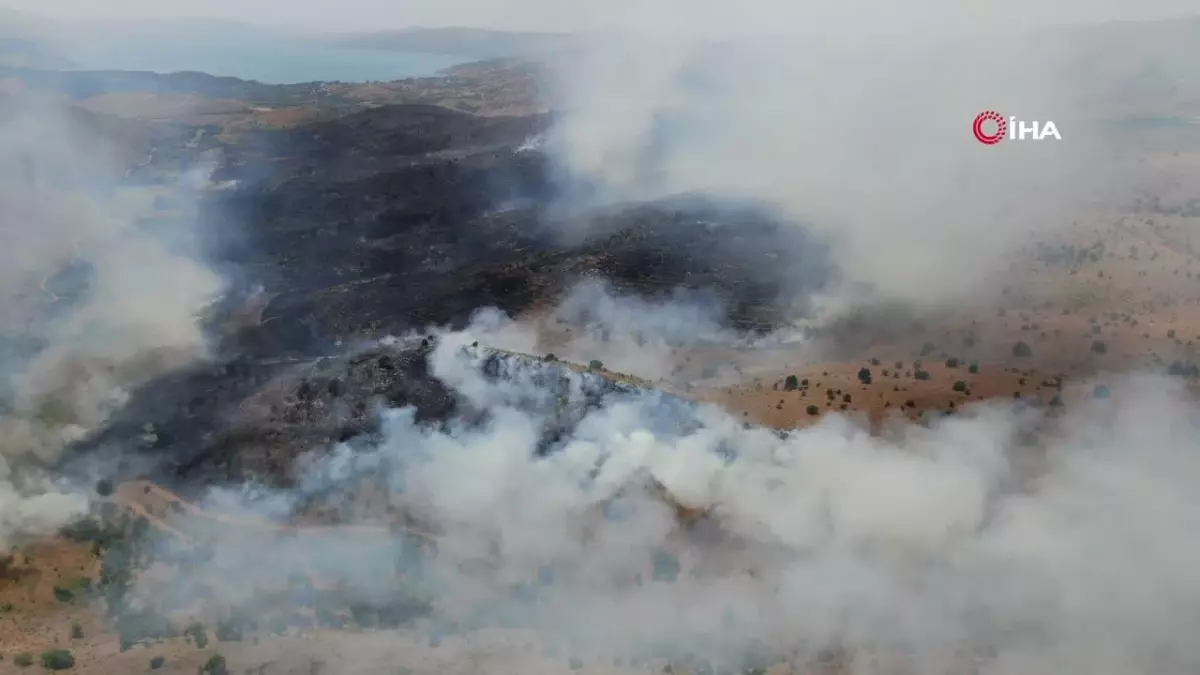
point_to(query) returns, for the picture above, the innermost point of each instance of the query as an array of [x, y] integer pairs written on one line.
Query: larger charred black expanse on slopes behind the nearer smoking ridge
[[411, 216]]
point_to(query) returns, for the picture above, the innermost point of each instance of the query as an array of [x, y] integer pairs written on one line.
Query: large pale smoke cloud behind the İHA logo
[[861, 134]]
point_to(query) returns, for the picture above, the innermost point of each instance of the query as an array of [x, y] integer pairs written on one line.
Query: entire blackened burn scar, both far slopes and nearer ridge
[[397, 220]]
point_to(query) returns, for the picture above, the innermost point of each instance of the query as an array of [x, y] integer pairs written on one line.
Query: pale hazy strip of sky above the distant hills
[[712, 17]]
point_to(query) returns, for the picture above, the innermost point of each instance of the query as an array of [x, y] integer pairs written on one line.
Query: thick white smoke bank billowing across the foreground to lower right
[[1076, 555]]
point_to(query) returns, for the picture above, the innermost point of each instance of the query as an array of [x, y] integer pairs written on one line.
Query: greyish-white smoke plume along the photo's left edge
[[93, 302]]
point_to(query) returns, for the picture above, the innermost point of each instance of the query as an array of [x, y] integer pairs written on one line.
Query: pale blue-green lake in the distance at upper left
[[269, 61]]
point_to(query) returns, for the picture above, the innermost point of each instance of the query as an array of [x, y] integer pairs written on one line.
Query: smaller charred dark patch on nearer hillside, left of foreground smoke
[[251, 419]]
